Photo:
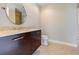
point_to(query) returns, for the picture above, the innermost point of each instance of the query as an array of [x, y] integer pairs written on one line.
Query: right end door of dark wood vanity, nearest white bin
[[36, 39]]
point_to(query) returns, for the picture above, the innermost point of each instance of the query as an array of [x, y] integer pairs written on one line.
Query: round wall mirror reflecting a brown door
[[15, 12]]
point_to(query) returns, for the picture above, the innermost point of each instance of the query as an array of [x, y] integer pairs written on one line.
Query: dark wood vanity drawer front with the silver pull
[[15, 45]]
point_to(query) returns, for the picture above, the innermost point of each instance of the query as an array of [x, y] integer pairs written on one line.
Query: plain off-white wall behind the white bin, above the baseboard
[[59, 22]]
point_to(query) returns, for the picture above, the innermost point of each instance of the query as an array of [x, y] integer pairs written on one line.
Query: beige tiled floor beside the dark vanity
[[56, 49]]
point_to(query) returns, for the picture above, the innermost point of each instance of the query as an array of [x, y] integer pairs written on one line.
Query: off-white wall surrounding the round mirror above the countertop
[[32, 19]]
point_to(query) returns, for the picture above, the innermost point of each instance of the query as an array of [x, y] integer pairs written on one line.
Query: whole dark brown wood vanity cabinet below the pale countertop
[[20, 44]]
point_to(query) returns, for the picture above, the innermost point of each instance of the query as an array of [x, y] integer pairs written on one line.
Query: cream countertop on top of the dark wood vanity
[[13, 32]]
